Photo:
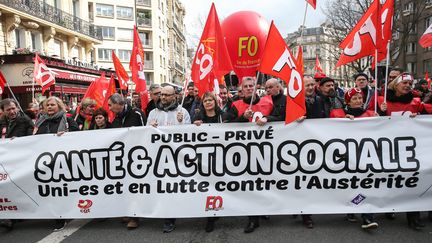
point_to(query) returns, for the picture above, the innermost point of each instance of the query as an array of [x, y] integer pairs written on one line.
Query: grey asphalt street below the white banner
[[328, 228]]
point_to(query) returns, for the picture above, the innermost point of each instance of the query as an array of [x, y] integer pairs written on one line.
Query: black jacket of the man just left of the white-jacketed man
[[130, 117]]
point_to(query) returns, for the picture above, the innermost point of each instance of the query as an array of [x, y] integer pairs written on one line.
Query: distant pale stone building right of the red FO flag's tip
[[318, 41]]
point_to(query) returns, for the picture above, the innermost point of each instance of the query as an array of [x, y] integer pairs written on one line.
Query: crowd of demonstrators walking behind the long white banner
[[323, 100]]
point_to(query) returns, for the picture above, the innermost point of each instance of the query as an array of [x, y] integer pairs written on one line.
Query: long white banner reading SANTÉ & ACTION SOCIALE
[[317, 166]]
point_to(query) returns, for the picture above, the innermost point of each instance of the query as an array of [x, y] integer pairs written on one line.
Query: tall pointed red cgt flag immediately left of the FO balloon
[[211, 60]]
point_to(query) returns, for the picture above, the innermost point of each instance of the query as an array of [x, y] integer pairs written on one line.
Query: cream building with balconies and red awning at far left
[[61, 33]]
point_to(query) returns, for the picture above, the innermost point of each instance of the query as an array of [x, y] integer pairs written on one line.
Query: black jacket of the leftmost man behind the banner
[[19, 127]]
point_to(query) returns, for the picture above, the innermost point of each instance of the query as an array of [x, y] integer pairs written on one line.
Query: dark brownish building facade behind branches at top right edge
[[412, 17]]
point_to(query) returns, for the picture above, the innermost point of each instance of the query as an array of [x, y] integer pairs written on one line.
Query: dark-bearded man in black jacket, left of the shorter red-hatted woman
[[328, 95]]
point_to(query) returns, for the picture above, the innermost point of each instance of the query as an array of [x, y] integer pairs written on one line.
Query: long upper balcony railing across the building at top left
[[56, 16]]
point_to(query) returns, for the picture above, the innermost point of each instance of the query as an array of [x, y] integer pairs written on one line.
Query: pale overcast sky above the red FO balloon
[[287, 14]]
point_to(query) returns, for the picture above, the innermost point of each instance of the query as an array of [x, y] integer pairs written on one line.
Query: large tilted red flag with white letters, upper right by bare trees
[[362, 40]]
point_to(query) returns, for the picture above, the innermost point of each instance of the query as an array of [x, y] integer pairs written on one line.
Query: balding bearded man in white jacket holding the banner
[[168, 113]]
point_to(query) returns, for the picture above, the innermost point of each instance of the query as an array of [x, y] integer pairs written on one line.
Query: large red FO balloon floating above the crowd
[[245, 36]]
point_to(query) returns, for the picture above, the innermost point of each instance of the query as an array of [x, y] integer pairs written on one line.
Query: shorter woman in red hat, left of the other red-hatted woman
[[354, 109]]
